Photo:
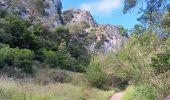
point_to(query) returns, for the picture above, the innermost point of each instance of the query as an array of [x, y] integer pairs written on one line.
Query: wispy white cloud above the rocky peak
[[102, 7]]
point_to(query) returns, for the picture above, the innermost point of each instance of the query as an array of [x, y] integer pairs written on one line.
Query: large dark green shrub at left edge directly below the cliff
[[16, 33]]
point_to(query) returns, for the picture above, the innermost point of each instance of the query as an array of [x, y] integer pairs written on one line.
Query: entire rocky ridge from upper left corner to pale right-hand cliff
[[105, 38]]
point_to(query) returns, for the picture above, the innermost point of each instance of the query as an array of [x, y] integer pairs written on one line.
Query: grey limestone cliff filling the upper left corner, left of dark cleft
[[44, 11]]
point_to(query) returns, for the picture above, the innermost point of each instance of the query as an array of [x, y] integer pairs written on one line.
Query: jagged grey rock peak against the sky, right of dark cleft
[[73, 16]]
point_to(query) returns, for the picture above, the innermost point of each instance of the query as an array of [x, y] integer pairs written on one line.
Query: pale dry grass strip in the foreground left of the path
[[15, 90]]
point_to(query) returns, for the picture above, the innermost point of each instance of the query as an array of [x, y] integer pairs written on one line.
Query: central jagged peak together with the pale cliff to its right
[[104, 38]]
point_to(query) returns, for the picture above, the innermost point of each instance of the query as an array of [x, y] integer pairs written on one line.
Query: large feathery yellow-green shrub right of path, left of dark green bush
[[134, 59]]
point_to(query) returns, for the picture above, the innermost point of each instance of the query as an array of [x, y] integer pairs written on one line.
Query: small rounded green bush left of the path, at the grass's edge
[[95, 75]]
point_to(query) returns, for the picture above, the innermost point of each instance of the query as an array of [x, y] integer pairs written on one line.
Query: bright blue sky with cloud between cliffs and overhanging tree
[[105, 11]]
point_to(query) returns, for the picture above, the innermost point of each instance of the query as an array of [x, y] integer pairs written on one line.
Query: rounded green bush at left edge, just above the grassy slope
[[17, 58]]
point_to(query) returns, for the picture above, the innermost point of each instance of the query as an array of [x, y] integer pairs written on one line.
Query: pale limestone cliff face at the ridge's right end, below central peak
[[108, 39]]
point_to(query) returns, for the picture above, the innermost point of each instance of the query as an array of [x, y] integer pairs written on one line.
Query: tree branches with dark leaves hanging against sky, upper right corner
[[151, 13]]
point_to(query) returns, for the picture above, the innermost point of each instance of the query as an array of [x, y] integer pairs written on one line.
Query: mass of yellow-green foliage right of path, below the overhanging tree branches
[[137, 63]]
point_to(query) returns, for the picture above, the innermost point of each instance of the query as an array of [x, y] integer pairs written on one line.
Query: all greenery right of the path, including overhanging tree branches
[[145, 61]]
